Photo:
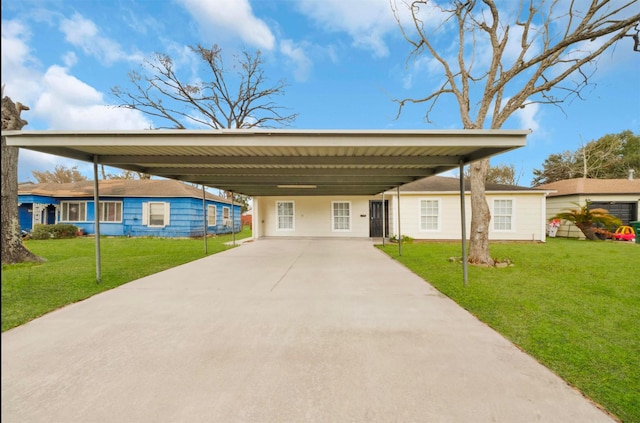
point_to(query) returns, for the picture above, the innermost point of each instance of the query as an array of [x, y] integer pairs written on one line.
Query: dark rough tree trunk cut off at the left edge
[[13, 251]]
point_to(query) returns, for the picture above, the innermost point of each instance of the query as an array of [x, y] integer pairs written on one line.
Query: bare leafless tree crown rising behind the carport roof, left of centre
[[226, 101]]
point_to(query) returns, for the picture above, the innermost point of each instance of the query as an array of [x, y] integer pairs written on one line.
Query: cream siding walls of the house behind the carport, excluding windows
[[313, 216]]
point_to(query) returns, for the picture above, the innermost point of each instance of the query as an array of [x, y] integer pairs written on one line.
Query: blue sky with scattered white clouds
[[343, 62]]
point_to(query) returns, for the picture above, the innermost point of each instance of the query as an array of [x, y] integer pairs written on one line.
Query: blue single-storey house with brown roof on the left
[[160, 208]]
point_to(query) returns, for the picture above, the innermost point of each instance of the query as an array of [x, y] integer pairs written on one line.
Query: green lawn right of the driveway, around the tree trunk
[[573, 305]]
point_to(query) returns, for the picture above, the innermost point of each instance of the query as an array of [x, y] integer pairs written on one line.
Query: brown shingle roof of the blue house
[[119, 188]]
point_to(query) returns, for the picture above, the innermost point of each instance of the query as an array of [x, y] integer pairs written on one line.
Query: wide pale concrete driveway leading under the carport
[[302, 330]]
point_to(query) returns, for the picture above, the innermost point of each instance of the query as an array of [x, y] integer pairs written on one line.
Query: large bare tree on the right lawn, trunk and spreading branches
[[504, 60]]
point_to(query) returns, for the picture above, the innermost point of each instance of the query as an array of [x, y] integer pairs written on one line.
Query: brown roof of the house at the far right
[[592, 186]]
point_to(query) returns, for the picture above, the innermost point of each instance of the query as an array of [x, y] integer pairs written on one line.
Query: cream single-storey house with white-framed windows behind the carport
[[429, 209]]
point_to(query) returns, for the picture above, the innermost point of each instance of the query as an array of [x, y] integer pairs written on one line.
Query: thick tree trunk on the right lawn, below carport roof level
[[480, 216]]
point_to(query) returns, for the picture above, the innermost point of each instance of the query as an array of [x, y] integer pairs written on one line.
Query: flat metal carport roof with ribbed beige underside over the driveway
[[279, 162]]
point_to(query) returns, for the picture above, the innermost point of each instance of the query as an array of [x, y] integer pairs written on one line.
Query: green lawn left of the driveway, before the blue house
[[30, 290]]
